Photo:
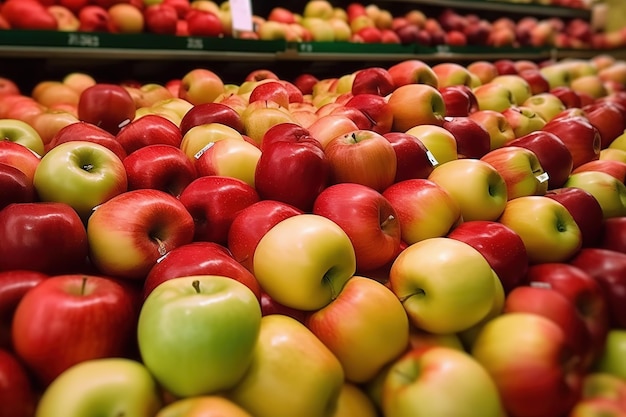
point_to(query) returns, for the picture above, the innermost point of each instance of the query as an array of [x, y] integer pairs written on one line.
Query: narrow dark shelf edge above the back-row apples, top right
[[529, 9]]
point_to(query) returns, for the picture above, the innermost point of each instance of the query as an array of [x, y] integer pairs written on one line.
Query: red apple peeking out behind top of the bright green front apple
[[199, 258]]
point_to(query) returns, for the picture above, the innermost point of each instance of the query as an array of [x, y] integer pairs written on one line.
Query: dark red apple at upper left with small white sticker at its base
[[108, 106]]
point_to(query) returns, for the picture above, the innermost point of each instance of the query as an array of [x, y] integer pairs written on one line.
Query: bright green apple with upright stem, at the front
[[197, 334]]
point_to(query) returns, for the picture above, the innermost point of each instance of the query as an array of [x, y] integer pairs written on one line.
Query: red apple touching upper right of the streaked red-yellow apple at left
[[214, 201]]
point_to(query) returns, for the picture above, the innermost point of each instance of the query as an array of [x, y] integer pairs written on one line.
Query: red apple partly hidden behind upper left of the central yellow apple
[[251, 223]]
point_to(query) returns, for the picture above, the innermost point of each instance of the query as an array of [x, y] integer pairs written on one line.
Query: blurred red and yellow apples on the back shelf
[[319, 21]]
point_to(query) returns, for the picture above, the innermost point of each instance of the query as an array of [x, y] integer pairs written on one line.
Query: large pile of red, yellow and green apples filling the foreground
[[398, 241]]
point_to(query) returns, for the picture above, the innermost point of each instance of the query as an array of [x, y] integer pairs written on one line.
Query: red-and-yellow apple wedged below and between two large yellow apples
[[372, 337]]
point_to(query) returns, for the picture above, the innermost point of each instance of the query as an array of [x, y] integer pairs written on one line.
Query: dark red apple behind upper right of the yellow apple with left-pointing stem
[[493, 239]]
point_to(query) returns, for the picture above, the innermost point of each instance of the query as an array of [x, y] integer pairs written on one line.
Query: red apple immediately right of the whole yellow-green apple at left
[[161, 167]]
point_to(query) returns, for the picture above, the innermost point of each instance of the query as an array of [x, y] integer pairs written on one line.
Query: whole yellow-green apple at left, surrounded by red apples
[[80, 174]]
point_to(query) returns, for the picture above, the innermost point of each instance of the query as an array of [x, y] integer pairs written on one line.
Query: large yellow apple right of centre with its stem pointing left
[[445, 285]]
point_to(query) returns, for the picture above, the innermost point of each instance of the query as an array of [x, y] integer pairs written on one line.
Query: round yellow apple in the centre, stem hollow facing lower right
[[304, 261]]
